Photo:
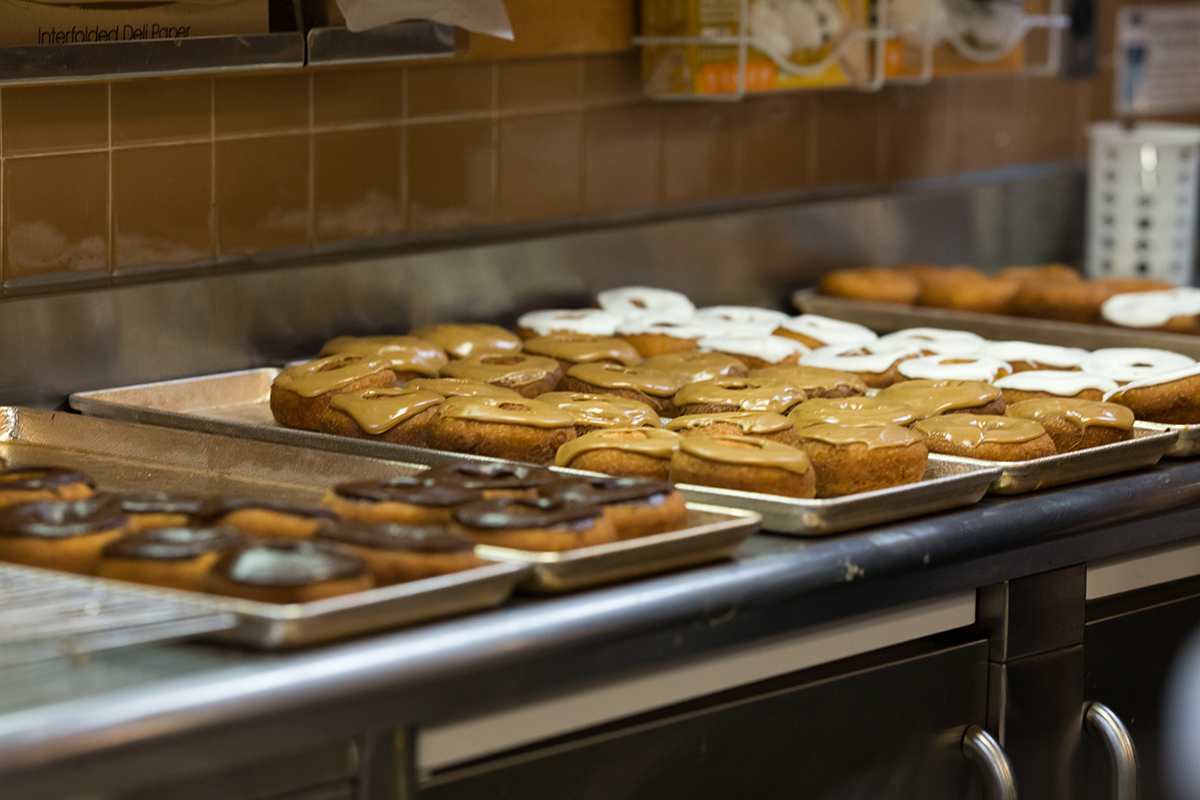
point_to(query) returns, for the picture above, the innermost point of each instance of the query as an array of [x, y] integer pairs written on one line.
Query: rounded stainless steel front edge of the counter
[[445, 672]]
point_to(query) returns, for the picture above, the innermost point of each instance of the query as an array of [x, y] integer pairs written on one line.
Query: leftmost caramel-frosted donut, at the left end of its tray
[[301, 395]]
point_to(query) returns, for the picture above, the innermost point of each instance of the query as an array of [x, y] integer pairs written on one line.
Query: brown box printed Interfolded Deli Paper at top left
[[44, 23]]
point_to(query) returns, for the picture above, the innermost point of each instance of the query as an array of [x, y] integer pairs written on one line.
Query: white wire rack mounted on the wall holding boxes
[[878, 34]]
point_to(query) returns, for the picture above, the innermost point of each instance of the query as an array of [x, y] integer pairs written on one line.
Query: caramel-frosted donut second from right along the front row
[[987, 437]]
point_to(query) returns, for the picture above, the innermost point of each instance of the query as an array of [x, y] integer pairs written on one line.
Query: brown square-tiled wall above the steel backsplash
[[101, 178]]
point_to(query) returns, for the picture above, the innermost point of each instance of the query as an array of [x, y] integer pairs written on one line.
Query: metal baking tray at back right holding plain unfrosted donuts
[[891, 317]]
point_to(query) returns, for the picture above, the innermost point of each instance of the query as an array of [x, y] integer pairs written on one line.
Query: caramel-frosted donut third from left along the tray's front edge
[[517, 430]]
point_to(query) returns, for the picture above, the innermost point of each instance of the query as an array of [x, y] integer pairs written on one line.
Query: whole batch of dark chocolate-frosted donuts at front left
[[365, 534]]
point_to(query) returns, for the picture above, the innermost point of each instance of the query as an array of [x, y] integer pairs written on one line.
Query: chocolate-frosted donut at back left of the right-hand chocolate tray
[[403, 500]]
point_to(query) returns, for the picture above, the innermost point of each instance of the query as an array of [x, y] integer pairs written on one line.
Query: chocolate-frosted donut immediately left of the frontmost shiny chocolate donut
[[177, 558]]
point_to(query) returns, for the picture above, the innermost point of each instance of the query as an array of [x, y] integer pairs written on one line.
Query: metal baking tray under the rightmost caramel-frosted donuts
[[1147, 449]]
